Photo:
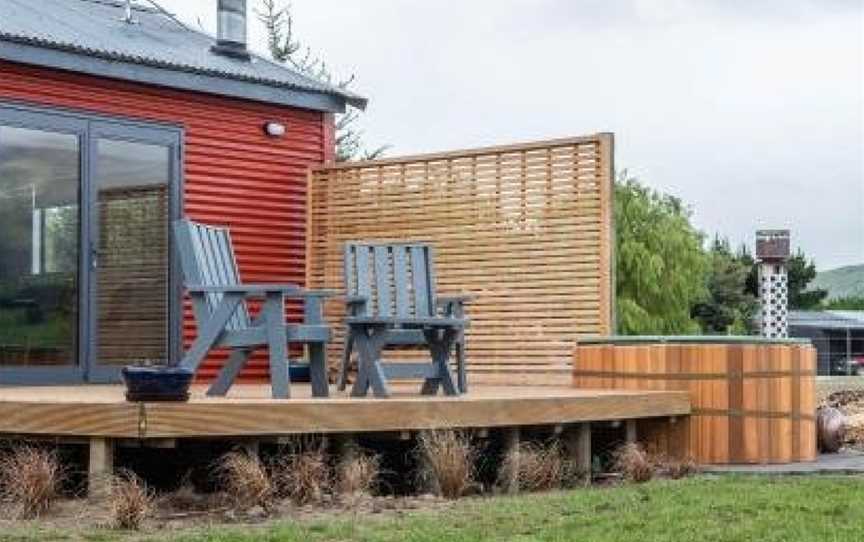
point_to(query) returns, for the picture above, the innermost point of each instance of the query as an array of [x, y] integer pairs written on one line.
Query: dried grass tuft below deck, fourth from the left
[[302, 472]]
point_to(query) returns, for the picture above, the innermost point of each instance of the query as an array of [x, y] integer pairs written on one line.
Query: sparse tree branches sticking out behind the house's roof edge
[[286, 48]]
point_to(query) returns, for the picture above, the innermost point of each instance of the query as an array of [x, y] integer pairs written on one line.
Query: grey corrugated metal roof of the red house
[[90, 36]]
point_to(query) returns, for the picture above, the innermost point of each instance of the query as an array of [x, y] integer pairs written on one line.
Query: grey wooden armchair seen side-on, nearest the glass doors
[[219, 298]]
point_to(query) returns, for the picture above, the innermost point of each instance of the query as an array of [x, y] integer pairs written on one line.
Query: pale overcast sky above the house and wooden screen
[[752, 112]]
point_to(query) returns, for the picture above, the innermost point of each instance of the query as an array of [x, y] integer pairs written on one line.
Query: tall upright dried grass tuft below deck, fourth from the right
[[449, 460]]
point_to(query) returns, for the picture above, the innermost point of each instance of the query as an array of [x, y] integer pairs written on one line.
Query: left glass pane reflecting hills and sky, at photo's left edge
[[39, 224]]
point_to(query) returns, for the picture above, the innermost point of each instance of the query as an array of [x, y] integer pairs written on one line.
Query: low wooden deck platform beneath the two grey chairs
[[101, 411]]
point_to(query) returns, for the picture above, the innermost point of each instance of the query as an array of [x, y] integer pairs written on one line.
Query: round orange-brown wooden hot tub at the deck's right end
[[752, 402]]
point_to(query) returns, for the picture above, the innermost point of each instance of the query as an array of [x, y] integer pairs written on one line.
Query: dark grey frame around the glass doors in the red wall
[[88, 128]]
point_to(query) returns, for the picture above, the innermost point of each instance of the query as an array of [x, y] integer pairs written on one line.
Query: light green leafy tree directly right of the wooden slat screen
[[661, 266]]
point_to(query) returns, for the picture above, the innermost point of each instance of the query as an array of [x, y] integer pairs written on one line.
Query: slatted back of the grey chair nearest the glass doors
[[207, 259]]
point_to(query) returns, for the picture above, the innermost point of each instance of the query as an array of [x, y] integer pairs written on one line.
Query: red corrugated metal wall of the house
[[234, 174]]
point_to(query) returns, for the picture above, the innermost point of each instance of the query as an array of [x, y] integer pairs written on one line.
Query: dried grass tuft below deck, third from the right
[[538, 467]]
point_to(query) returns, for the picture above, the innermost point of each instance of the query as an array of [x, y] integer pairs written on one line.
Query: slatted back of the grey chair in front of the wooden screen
[[397, 279]]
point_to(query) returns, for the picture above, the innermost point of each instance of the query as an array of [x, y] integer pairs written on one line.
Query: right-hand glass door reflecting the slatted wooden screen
[[132, 175]]
